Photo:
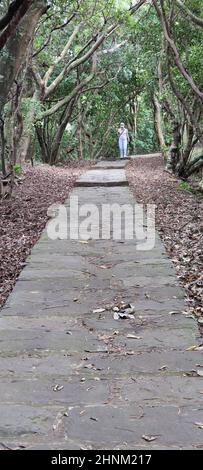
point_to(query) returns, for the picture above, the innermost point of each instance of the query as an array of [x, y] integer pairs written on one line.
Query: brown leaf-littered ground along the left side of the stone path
[[23, 217]]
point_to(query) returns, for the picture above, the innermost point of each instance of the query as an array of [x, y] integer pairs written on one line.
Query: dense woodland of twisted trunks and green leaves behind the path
[[71, 70]]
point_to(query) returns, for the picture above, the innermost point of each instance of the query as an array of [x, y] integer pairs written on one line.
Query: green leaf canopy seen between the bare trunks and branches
[[126, 79]]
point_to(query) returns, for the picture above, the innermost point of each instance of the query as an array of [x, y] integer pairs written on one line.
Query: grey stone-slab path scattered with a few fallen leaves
[[74, 379]]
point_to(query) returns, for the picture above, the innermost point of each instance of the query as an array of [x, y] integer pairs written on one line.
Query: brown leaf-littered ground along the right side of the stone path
[[179, 220]]
